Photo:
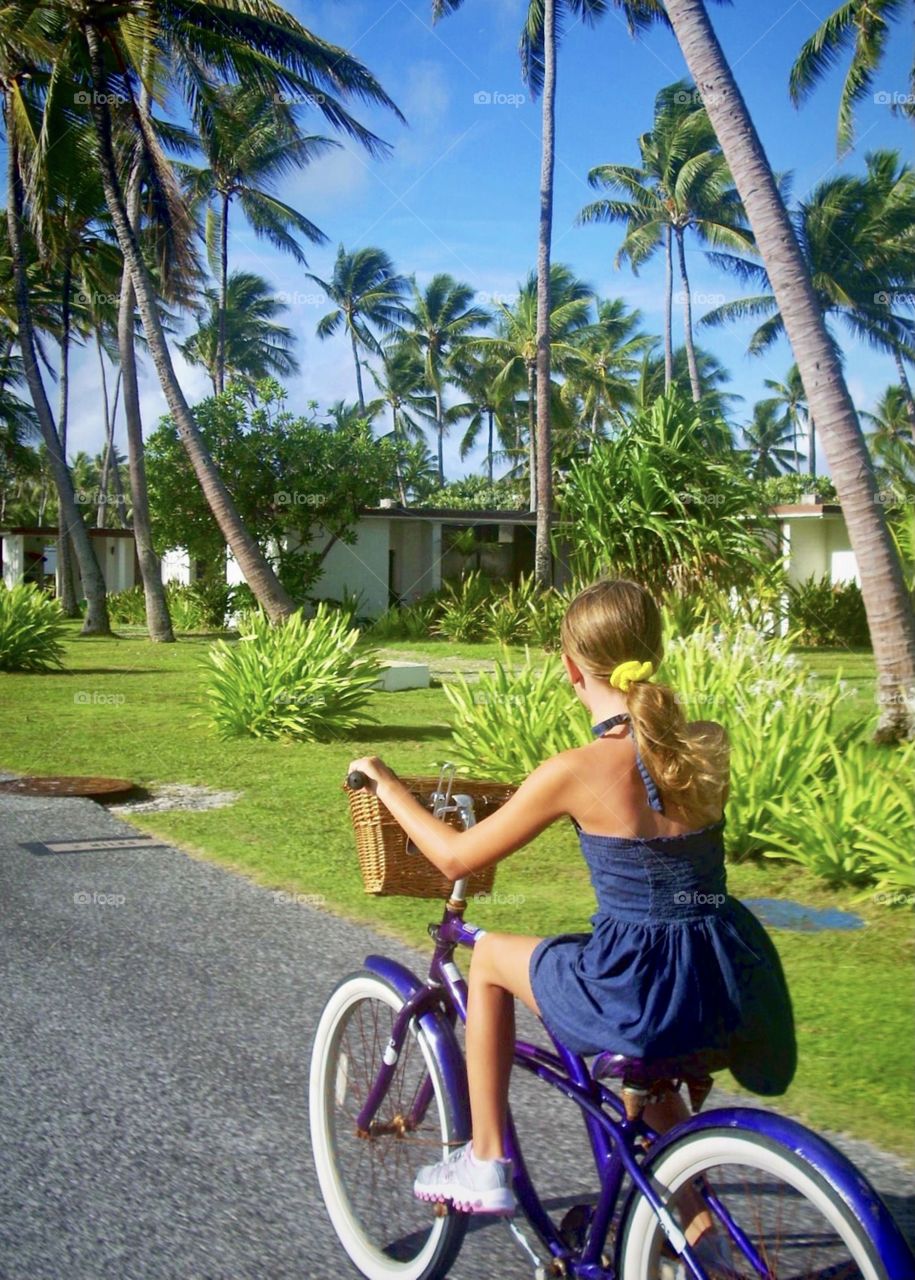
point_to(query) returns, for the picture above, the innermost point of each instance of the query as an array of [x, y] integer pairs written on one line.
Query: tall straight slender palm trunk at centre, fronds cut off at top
[[539, 42]]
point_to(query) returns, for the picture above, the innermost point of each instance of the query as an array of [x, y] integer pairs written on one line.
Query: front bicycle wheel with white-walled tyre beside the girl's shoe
[[368, 1178]]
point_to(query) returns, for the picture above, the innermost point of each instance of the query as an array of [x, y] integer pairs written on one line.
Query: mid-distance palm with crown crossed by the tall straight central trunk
[[518, 346]]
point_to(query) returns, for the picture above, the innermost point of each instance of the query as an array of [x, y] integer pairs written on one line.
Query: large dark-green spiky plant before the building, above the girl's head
[[653, 504]]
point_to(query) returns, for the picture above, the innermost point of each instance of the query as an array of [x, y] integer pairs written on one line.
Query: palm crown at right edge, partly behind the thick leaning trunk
[[857, 235]]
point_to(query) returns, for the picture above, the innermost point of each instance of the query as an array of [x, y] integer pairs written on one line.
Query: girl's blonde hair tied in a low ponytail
[[615, 621]]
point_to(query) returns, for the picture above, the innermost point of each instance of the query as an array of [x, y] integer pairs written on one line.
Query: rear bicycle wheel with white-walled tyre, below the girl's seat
[[788, 1214]]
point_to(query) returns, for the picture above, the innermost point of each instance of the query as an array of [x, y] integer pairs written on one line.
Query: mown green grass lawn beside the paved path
[[127, 708]]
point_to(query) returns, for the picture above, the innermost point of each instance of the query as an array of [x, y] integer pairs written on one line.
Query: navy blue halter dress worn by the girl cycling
[[674, 966]]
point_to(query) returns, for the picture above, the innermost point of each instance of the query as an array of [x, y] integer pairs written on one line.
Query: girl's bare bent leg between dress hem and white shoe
[[498, 973]]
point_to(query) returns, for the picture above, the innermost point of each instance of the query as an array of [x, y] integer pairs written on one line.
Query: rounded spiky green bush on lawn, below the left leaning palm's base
[[300, 678]]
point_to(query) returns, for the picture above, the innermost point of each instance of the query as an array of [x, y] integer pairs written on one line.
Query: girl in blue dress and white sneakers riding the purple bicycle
[[674, 964]]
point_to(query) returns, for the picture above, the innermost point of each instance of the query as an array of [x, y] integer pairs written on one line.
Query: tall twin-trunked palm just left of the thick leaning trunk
[[681, 185]]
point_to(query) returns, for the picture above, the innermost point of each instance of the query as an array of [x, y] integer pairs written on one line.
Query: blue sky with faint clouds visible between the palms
[[460, 190]]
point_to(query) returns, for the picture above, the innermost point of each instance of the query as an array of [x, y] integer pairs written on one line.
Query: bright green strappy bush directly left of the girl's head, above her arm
[[513, 719]]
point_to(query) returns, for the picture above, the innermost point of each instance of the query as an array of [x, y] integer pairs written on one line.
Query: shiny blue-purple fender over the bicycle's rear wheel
[[836, 1169]]
